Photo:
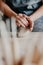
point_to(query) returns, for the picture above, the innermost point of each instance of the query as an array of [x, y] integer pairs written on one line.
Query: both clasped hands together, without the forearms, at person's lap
[[24, 21]]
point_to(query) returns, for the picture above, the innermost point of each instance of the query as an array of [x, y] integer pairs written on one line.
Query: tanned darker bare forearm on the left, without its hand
[[7, 11]]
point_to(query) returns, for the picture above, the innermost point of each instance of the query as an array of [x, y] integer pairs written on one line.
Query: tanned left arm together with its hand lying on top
[[20, 18]]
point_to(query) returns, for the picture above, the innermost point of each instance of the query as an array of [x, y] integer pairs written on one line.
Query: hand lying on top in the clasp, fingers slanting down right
[[21, 21]]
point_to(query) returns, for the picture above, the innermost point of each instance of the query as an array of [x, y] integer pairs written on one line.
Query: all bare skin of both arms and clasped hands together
[[21, 19]]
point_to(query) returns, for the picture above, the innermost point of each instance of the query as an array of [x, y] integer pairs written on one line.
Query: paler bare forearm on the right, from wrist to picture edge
[[37, 14]]
